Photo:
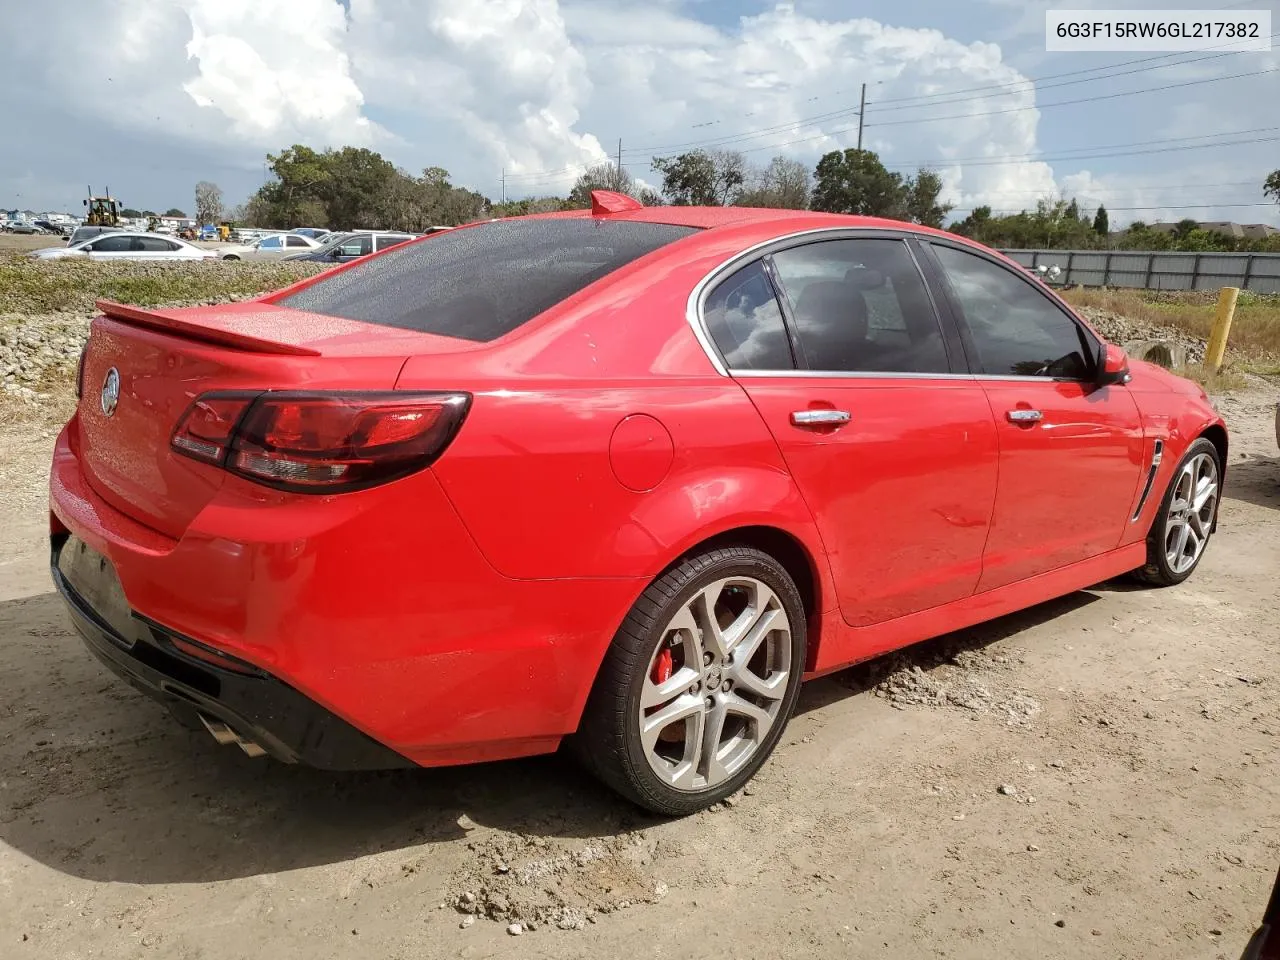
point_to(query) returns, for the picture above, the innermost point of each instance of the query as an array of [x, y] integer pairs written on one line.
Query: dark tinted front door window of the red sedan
[[1017, 330]]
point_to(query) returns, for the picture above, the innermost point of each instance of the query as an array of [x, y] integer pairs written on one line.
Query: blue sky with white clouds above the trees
[[150, 98]]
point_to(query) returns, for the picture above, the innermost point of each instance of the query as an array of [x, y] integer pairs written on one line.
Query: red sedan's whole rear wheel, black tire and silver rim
[[700, 683]]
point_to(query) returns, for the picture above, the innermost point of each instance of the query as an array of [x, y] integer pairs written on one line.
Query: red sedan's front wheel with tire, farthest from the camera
[[1182, 529]]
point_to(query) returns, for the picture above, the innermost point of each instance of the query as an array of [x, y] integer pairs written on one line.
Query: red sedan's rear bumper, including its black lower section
[[373, 609]]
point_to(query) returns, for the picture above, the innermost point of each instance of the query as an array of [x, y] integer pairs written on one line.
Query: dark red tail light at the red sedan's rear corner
[[321, 442]]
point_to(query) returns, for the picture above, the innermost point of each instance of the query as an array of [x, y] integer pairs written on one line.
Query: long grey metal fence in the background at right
[[1158, 272]]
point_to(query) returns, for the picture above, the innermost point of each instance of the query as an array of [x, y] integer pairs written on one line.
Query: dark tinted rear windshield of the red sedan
[[483, 282]]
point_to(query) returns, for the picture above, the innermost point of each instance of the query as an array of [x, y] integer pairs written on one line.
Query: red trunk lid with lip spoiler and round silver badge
[[164, 359]]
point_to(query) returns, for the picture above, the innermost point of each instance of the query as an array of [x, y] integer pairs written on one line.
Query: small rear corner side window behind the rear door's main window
[[746, 322]]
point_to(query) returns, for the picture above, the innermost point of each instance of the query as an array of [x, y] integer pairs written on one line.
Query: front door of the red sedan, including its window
[[1071, 454]]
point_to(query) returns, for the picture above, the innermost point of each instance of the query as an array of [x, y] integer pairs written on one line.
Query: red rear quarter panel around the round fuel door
[[531, 472]]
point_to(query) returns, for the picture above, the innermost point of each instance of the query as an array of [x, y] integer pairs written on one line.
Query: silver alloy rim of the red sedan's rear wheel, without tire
[[716, 684]]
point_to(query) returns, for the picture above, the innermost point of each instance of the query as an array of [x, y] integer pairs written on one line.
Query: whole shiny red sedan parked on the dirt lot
[[625, 476]]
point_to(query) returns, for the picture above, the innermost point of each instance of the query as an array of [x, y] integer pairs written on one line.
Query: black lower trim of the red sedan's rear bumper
[[257, 706]]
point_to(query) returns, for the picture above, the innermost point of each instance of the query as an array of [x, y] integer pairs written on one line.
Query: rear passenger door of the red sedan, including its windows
[[892, 445]]
